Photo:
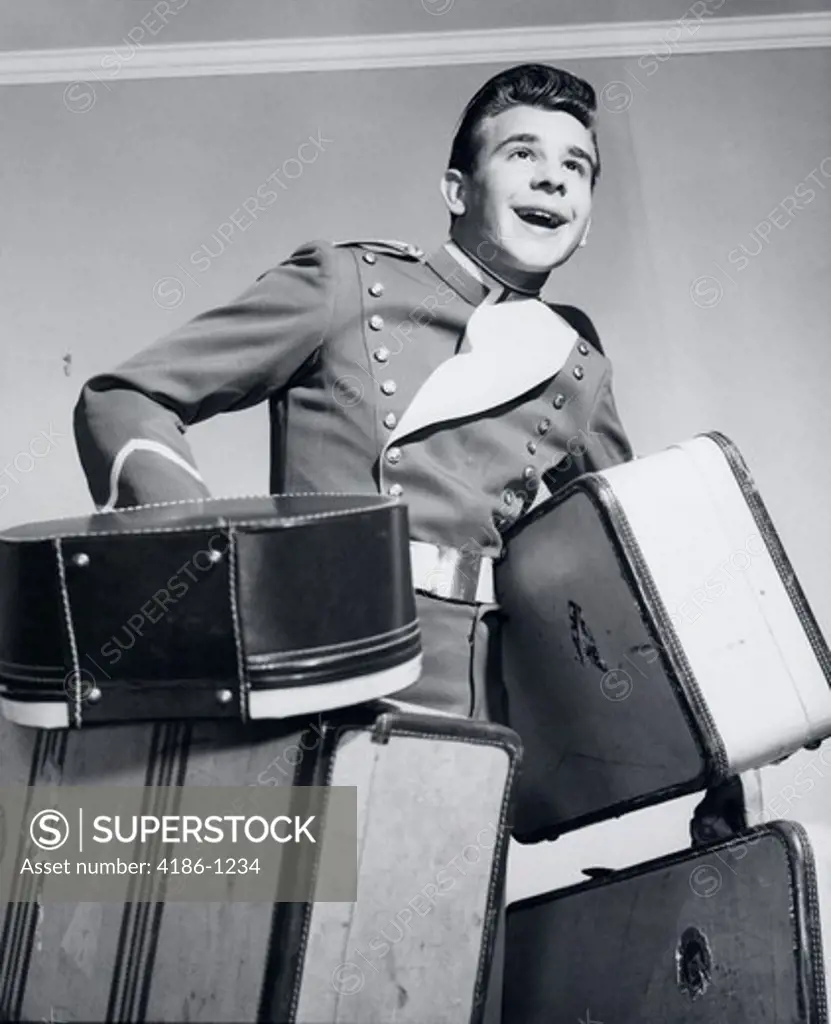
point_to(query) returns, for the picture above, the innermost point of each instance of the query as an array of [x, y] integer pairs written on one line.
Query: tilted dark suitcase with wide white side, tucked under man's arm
[[657, 639]]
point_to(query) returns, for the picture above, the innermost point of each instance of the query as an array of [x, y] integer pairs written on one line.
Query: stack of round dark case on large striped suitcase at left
[[210, 645]]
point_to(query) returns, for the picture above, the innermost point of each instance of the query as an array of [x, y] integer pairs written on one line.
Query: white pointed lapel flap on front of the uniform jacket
[[515, 347]]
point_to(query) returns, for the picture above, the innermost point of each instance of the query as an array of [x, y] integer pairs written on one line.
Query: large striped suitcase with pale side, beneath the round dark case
[[433, 797]]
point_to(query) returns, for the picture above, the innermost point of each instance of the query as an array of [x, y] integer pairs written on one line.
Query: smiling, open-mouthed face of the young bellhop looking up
[[527, 205]]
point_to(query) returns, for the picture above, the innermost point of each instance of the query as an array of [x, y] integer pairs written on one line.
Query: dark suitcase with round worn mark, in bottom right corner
[[731, 934]]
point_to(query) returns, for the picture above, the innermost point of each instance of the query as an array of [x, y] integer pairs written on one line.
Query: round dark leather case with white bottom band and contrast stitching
[[229, 609]]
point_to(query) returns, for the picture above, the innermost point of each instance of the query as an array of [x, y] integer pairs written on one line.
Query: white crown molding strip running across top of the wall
[[266, 57]]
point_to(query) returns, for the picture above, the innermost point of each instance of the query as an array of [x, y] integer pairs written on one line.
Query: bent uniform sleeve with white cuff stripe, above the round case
[[130, 424]]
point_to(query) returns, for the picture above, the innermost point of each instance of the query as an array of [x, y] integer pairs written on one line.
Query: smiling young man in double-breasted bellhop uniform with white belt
[[441, 379]]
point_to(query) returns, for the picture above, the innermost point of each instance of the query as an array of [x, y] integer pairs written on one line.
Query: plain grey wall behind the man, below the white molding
[[98, 207]]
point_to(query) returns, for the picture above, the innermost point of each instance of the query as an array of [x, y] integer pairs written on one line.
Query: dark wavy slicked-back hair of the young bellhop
[[524, 86]]
